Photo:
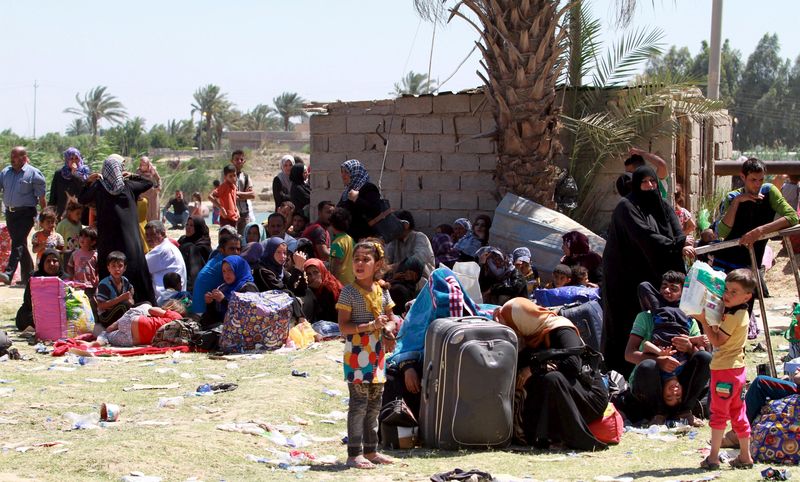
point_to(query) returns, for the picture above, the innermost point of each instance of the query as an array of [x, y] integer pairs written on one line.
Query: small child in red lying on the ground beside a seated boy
[[139, 325]]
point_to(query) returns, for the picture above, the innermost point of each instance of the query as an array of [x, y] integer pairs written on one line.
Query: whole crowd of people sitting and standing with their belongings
[[104, 231]]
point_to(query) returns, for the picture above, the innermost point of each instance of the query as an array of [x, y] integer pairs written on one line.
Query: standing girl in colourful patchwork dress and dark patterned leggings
[[365, 320]]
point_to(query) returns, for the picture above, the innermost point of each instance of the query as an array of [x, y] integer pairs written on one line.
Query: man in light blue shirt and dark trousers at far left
[[23, 187]]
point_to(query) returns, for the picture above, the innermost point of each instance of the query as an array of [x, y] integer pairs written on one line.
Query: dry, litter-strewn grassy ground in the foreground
[[183, 442]]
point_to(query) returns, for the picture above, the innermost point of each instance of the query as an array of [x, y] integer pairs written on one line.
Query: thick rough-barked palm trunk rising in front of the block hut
[[522, 43]]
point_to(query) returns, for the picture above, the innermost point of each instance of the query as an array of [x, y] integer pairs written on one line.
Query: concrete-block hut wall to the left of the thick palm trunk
[[433, 167]]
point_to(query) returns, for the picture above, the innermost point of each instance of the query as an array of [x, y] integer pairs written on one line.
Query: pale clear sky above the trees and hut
[[153, 55]]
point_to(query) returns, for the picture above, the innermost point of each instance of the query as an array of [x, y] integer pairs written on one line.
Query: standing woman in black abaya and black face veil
[[645, 240]]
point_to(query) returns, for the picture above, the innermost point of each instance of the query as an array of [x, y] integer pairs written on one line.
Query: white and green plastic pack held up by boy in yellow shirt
[[702, 293]]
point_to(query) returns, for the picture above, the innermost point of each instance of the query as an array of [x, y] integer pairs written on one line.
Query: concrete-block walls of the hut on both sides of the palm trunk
[[437, 170]]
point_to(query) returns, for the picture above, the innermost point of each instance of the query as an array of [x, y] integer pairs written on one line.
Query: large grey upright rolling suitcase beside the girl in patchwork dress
[[469, 373]]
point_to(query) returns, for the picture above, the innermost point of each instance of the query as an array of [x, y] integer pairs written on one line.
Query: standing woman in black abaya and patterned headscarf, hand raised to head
[[115, 198]]
